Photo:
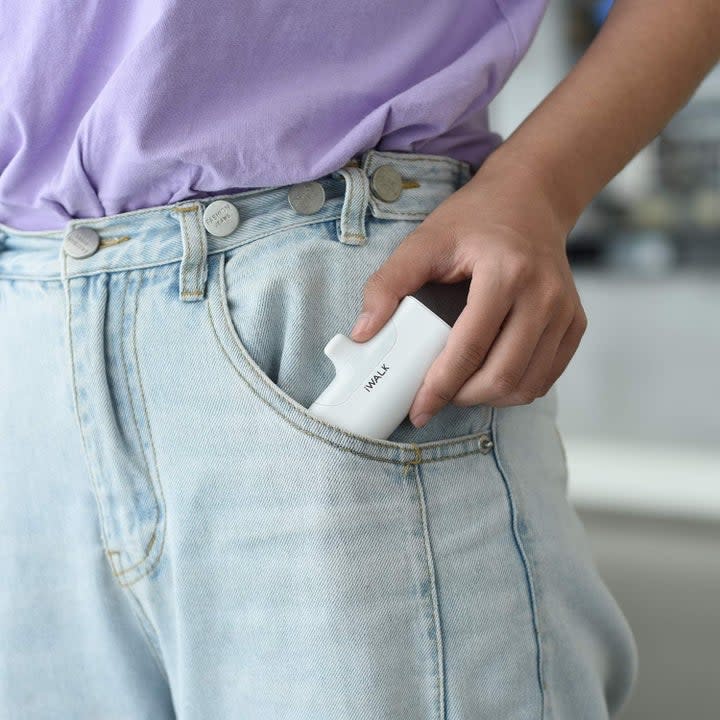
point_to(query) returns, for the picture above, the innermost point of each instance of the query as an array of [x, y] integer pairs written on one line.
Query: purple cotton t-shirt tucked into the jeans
[[112, 106]]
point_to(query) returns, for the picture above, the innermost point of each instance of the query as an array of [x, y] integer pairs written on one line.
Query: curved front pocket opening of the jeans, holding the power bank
[[275, 303]]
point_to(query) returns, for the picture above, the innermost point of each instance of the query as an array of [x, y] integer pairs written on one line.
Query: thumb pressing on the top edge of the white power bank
[[407, 269]]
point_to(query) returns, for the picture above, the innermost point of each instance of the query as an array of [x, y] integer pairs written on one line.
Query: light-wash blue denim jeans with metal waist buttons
[[180, 538]]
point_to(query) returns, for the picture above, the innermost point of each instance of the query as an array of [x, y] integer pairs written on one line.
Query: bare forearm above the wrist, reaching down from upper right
[[644, 65]]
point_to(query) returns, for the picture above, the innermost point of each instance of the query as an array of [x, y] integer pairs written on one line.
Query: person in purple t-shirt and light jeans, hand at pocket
[[195, 197]]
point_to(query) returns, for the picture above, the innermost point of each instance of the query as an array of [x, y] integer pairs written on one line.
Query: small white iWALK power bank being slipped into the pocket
[[376, 380]]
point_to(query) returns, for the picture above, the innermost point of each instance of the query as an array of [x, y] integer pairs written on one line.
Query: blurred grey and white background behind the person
[[639, 404]]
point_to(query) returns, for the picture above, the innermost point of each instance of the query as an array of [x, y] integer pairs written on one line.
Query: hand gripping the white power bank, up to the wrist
[[523, 319]]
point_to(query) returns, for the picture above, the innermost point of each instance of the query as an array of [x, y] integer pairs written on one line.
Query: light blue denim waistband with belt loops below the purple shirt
[[176, 232]]
